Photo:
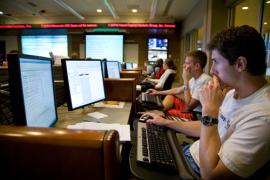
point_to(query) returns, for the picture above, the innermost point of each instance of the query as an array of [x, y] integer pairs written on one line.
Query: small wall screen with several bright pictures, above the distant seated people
[[157, 48]]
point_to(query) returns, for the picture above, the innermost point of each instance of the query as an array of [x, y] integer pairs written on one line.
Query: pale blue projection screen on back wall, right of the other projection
[[100, 46]]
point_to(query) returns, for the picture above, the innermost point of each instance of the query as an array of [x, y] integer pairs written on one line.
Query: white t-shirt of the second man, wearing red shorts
[[195, 86]]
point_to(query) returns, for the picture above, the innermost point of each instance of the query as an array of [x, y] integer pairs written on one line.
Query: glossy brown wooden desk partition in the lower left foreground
[[52, 153]]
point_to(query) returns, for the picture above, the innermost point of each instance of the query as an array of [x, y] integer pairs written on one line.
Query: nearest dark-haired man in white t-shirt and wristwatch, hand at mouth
[[234, 131]]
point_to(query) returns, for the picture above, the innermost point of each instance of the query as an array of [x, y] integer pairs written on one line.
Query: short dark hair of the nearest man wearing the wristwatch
[[241, 41]]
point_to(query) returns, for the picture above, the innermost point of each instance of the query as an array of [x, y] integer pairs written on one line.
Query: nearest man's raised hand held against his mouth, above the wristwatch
[[211, 98]]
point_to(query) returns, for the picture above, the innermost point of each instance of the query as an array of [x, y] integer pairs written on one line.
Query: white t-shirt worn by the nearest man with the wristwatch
[[244, 130]]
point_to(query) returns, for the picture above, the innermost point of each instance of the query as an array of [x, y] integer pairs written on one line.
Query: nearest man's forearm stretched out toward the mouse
[[191, 128]]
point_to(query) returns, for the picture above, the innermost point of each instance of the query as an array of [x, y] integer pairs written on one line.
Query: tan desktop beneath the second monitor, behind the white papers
[[66, 117]]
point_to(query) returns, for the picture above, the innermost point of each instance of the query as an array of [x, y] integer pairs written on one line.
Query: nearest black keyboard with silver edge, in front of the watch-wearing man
[[153, 149]]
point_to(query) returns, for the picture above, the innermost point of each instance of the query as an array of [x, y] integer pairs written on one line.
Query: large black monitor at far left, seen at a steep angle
[[32, 90]]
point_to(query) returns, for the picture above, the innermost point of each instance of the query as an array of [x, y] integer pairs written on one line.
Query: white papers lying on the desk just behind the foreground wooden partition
[[123, 130]]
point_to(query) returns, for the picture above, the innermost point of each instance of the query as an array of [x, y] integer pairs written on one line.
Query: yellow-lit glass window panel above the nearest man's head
[[248, 12]]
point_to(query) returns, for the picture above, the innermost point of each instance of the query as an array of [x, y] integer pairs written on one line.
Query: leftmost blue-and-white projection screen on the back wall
[[41, 45]]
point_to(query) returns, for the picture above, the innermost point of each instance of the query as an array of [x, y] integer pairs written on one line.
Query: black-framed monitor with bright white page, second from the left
[[83, 82]]
